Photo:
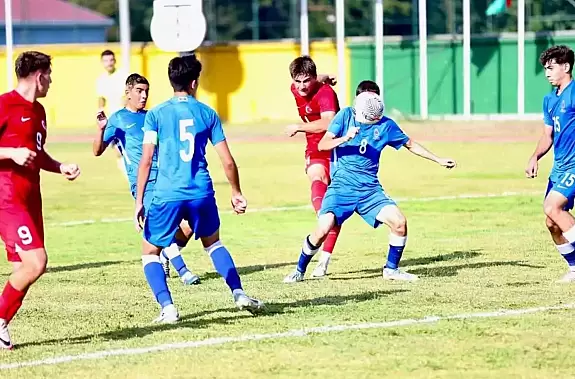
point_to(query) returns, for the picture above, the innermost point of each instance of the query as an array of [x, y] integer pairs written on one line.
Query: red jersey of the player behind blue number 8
[[310, 108]]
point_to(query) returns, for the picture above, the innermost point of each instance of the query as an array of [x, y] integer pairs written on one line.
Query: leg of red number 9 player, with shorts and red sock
[[22, 233]]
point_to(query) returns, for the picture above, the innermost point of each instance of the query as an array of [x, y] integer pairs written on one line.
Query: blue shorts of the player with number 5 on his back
[[163, 219]]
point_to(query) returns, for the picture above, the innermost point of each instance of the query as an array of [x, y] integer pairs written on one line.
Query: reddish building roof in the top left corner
[[52, 12]]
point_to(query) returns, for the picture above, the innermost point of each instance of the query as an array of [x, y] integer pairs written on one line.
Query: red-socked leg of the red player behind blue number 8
[[317, 171]]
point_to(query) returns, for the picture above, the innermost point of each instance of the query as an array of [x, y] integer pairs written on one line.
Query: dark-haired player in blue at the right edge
[[559, 133]]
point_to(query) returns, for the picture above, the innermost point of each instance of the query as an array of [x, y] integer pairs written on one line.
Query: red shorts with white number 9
[[21, 228]]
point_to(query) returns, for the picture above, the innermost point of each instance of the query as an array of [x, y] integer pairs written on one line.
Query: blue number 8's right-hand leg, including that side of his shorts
[[377, 208]]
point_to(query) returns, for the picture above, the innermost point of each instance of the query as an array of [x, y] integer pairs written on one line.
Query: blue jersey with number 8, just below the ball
[[356, 162]]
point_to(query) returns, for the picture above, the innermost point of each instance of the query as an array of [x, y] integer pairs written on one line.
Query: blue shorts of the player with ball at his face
[[343, 203]]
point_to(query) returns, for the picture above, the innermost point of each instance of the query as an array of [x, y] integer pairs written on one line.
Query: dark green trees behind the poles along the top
[[277, 19]]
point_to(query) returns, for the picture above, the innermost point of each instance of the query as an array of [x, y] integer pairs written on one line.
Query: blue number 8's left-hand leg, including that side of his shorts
[[336, 208]]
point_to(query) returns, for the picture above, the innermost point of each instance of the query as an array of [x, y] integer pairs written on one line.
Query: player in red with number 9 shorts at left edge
[[22, 156]]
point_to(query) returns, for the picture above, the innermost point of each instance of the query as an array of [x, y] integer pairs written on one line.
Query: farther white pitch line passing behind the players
[[303, 207]]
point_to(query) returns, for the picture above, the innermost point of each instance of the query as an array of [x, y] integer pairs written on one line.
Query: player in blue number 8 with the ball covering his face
[[358, 135]]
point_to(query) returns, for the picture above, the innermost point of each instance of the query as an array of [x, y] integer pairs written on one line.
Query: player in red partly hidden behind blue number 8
[[317, 104]]
